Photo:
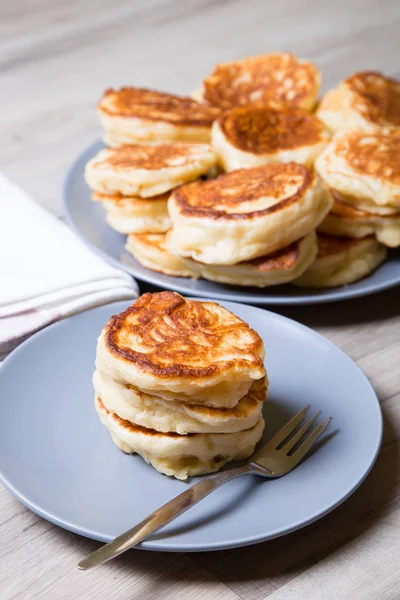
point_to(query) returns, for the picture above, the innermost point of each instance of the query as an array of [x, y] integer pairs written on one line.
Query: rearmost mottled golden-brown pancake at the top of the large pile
[[258, 79]]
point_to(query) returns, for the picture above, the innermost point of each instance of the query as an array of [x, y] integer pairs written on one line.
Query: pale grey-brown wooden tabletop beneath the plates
[[56, 58]]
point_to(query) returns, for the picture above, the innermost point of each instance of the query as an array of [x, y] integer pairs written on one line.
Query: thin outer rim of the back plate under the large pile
[[331, 295]]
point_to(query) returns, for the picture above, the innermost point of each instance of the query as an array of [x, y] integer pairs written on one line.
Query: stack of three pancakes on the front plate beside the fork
[[182, 383]]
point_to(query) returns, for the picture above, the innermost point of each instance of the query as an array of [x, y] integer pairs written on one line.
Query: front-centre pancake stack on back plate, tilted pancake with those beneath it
[[247, 227]]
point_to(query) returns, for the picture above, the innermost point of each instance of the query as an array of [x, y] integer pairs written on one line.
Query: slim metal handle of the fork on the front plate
[[161, 516]]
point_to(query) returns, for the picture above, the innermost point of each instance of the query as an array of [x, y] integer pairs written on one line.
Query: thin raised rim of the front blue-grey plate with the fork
[[164, 546]]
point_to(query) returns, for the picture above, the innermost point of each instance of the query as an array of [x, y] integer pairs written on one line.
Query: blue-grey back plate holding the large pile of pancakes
[[87, 219]]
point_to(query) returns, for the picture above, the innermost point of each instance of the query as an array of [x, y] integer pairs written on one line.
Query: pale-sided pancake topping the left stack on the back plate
[[147, 170]]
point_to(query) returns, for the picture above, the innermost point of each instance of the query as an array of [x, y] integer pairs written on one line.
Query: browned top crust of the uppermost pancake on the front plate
[[176, 336]]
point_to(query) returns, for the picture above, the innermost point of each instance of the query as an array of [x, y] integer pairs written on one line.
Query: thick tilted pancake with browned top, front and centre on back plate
[[245, 214]]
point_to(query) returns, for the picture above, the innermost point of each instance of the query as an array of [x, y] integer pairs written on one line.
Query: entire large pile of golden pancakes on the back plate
[[251, 182]]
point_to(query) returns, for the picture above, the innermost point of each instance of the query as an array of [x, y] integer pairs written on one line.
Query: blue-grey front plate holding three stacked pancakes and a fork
[[57, 458]]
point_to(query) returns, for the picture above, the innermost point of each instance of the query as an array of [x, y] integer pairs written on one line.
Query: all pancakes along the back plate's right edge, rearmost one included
[[361, 170]]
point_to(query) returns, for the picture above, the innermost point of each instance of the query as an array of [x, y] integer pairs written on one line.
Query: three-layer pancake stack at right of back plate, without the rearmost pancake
[[362, 173]]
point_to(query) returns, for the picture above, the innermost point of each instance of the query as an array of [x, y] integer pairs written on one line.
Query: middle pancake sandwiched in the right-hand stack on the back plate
[[347, 221]]
